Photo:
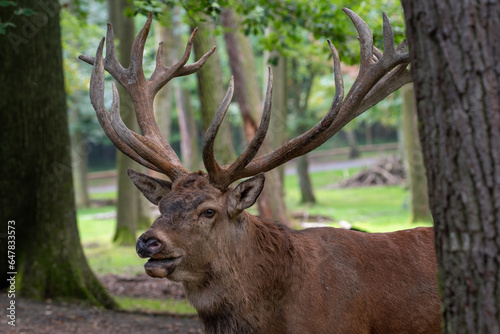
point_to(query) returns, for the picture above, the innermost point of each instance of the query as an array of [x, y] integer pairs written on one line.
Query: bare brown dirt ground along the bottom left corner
[[44, 318]]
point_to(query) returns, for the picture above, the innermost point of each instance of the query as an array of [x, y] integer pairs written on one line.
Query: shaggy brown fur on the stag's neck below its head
[[248, 282]]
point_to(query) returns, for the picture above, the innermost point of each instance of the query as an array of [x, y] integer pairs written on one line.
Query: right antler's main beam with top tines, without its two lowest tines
[[380, 74]]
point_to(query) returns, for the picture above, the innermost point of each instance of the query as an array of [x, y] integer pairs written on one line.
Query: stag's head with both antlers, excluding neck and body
[[200, 213]]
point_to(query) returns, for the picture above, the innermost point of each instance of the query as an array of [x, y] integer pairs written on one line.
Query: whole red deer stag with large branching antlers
[[245, 274]]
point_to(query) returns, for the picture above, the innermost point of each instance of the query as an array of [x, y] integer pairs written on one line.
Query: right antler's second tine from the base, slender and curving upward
[[254, 146]]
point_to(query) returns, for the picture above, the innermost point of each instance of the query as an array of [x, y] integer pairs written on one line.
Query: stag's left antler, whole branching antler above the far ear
[[149, 149]]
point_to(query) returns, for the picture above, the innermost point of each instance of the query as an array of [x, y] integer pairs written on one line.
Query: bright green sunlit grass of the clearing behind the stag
[[375, 209]]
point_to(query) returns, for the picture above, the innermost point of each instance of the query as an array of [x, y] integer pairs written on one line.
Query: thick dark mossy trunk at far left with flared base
[[36, 182]]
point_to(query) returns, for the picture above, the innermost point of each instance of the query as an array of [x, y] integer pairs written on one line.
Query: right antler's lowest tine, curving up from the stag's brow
[[213, 169]]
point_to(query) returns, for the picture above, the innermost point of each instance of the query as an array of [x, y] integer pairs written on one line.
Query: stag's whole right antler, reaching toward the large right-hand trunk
[[380, 74]]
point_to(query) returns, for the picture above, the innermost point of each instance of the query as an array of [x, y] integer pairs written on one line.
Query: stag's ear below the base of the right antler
[[244, 195]]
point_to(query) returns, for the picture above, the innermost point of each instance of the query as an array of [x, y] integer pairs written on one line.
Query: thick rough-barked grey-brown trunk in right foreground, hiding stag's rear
[[455, 48]]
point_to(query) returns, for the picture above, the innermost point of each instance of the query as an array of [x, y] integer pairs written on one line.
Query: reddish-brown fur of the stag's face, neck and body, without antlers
[[250, 275]]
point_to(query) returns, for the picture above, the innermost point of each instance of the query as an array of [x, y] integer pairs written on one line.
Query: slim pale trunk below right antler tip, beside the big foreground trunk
[[414, 161]]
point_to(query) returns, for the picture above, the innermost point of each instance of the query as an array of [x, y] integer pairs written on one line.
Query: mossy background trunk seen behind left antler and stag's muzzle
[[127, 210]]
